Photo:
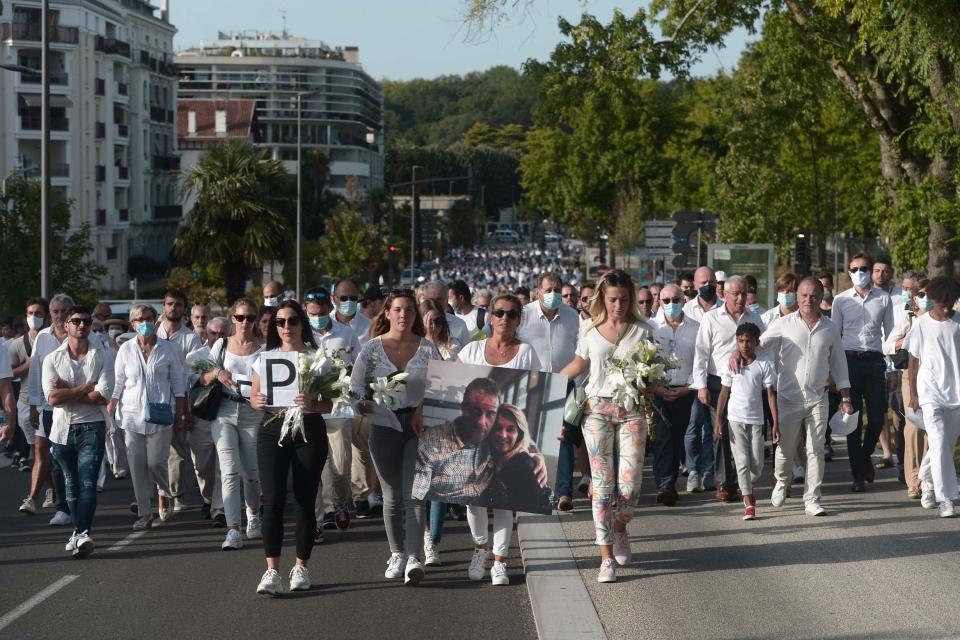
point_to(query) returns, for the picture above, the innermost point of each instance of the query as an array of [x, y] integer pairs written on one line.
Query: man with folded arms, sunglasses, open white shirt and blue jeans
[[77, 380]]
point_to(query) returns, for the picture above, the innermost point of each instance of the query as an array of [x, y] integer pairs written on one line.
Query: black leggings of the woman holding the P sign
[[306, 458]]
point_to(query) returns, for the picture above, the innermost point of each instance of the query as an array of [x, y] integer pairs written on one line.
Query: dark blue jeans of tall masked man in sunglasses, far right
[[868, 387]]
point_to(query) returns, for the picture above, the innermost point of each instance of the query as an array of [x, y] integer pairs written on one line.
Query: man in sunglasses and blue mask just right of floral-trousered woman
[[677, 336]]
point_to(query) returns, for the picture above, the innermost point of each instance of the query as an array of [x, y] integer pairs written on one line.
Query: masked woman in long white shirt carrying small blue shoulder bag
[[148, 374]]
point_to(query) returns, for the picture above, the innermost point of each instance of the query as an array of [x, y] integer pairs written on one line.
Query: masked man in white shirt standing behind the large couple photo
[[551, 328]]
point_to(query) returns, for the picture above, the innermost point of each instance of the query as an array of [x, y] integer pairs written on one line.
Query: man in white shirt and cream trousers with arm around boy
[[808, 352]]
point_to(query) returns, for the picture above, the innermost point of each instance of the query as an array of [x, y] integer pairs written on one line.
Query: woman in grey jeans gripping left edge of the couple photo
[[397, 344]]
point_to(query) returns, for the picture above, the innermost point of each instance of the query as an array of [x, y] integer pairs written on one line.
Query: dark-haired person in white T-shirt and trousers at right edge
[[934, 372]]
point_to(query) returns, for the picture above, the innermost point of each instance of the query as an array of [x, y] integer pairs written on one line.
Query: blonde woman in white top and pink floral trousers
[[608, 427]]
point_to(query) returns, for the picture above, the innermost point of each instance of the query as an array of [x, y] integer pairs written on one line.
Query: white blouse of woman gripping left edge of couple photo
[[416, 384]]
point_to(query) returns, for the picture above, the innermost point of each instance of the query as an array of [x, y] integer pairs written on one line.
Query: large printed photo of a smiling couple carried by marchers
[[490, 437]]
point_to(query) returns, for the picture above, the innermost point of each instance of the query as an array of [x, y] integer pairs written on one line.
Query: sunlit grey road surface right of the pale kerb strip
[[877, 567]]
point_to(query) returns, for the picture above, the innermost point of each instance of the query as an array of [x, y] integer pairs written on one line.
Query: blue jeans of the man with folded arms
[[80, 460]]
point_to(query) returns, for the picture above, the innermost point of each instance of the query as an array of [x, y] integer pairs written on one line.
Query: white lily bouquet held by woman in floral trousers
[[636, 374]]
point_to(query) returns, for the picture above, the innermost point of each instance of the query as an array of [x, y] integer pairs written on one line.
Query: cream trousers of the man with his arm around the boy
[[802, 423]]
